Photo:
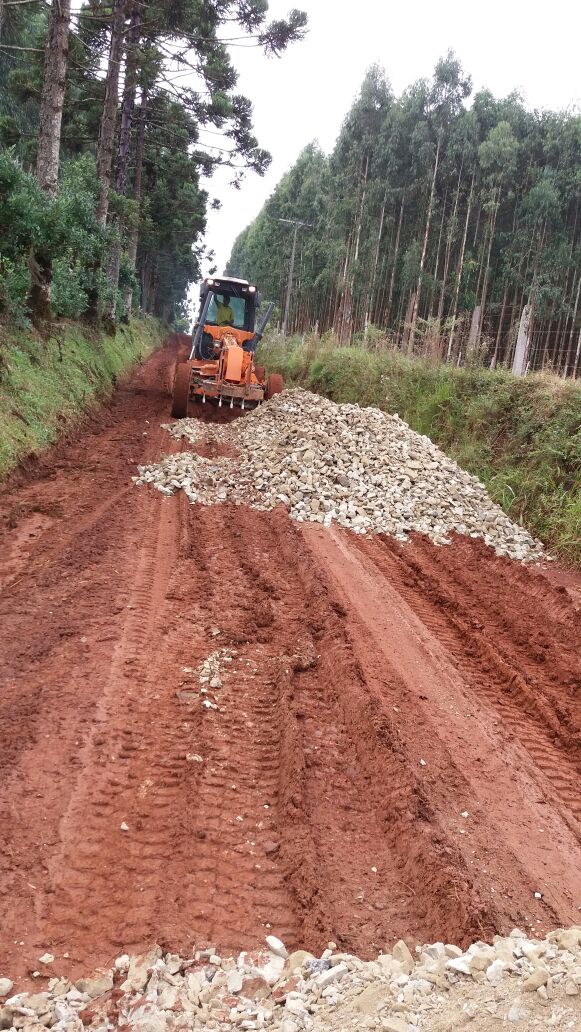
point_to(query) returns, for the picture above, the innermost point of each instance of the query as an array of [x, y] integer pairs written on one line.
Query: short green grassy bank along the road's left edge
[[46, 385]]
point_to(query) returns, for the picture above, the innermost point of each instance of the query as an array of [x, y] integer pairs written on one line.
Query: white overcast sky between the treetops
[[504, 45]]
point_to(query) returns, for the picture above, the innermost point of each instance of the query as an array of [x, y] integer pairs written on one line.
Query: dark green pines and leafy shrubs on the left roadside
[[112, 114]]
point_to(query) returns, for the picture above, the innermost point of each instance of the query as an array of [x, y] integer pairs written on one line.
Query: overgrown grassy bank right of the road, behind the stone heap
[[521, 437]]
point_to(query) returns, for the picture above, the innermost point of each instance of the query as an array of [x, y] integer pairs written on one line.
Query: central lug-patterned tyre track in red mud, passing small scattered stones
[[240, 893]]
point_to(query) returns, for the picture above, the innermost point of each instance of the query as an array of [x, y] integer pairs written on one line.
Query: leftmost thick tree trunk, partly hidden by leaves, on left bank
[[51, 116]]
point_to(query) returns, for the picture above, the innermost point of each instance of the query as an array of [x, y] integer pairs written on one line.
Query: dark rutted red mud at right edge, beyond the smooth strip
[[526, 694]]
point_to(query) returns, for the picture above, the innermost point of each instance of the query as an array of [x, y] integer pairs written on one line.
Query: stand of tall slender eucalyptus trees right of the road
[[445, 223]]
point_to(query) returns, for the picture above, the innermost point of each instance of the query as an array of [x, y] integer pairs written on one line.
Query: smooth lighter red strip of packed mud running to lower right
[[511, 840]]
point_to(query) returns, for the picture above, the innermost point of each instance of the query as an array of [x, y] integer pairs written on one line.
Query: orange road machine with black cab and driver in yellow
[[221, 368]]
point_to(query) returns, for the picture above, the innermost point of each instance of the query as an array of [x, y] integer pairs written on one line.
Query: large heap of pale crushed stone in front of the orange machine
[[327, 463]]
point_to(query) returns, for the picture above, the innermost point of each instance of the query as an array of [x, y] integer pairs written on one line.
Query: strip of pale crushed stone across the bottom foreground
[[528, 984]]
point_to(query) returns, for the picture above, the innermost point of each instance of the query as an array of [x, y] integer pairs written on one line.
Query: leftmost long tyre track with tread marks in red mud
[[100, 873]]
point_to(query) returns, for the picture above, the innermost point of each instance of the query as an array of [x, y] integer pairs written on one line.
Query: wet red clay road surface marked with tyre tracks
[[377, 694]]
